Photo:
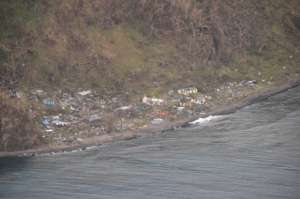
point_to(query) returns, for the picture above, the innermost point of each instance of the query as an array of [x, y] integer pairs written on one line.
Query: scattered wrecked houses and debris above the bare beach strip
[[68, 117]]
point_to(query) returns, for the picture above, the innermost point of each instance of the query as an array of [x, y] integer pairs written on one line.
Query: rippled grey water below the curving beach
[[254, 153]]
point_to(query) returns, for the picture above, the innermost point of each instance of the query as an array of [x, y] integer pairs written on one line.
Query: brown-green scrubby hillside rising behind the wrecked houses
[[136, 48]]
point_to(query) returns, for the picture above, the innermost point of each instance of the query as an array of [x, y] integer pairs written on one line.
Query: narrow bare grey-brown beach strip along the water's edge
[[166, 126]]
